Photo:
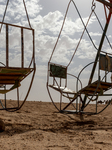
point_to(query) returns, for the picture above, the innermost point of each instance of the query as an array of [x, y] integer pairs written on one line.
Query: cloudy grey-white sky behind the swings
[[46, 17]]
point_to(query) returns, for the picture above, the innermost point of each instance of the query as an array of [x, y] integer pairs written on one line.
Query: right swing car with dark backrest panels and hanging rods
[[79, 100]]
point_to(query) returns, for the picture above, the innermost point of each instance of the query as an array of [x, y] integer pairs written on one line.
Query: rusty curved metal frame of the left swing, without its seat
[[32, 62]]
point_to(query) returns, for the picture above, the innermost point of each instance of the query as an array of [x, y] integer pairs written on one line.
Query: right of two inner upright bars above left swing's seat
[[22, 49]]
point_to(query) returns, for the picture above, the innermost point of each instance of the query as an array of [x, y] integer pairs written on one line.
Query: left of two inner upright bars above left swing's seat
[[7, 47]]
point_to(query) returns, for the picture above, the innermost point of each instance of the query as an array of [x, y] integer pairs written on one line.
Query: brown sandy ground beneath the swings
[[38, 126]]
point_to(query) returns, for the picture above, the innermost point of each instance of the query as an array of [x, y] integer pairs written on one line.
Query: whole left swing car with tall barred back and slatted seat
[[11, 77]]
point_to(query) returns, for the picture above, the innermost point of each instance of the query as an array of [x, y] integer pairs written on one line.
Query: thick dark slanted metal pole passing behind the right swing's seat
[[97, 56]]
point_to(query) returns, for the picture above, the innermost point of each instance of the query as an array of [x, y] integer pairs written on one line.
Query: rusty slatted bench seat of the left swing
[[12, 76]]
